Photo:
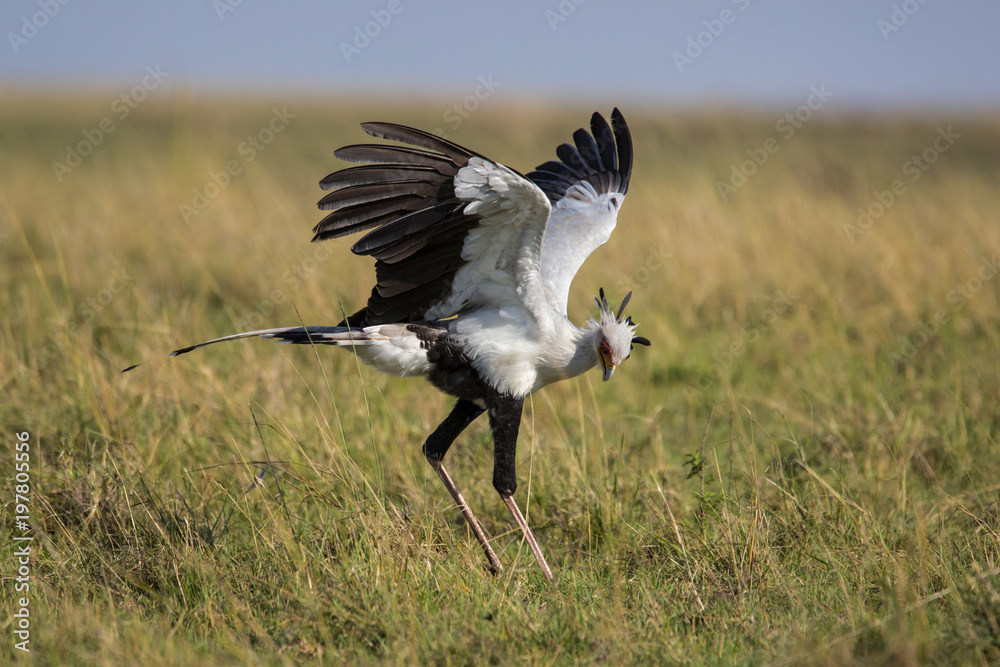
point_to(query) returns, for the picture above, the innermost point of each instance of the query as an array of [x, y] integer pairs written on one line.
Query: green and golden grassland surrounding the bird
[[803, 469]]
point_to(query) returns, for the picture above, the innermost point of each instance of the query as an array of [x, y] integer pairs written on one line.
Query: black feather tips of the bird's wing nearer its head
[[604, 153]]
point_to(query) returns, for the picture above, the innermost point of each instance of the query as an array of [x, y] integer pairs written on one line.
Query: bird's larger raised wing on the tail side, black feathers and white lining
[[450, 230]]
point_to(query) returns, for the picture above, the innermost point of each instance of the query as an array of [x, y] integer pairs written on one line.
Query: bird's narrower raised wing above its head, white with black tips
[[586, 187]]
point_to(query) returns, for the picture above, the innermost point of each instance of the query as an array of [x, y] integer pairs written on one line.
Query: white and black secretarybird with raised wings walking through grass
[[473, 263]]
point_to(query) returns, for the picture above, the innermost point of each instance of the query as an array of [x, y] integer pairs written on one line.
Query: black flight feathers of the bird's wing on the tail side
[[403, 196]]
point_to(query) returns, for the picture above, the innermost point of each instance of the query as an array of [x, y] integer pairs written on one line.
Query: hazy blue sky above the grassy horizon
[[870, 54]]
